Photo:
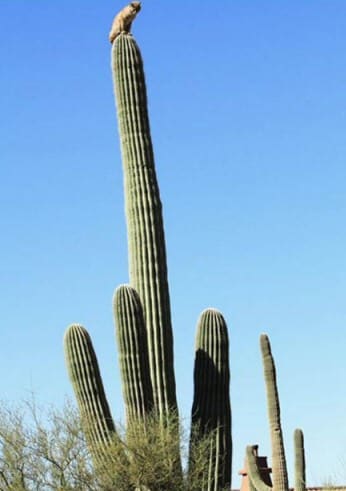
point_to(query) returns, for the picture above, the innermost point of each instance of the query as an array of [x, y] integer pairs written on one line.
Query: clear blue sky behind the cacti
[[247, 105]]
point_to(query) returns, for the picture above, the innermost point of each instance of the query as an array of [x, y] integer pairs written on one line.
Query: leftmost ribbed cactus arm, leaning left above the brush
[[86, 380]]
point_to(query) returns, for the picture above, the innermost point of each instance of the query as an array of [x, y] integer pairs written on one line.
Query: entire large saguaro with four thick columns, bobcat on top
[[143, 318]]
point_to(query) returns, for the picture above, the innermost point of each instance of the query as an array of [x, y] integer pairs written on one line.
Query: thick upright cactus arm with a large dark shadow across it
[[211, 410]]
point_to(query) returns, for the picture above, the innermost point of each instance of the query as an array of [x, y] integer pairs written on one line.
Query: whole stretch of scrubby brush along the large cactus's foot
[[43, 450]]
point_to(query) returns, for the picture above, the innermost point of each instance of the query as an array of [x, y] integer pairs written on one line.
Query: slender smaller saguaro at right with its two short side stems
[[279, 467]]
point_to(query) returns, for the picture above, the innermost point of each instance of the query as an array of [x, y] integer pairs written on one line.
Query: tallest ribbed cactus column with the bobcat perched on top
[[146, 242]]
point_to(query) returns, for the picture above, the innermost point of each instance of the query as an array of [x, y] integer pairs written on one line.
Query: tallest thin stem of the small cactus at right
[[280, 477]]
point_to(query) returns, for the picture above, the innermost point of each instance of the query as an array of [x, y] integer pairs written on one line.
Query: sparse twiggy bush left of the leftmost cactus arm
[[43, 449]]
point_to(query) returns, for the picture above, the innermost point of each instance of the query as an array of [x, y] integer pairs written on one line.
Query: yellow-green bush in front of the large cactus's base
[[146, 457]]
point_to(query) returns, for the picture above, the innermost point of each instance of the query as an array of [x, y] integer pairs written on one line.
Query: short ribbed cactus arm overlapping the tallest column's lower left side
[[133, 353]]
